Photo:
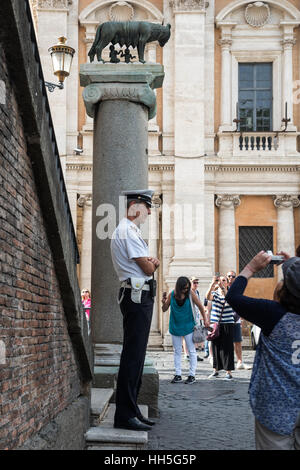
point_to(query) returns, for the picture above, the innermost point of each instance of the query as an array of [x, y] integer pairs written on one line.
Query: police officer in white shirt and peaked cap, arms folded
[[135, 270]]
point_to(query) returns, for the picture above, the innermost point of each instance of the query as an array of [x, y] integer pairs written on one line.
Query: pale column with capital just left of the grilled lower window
[[227, 237]]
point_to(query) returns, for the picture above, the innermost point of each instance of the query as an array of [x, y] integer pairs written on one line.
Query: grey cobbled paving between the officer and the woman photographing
[[210, 414]]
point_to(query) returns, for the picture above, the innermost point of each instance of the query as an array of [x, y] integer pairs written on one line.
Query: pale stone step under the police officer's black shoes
[[106, 437]]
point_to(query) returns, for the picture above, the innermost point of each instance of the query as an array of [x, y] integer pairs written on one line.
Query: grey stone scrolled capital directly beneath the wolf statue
[[134, 82]]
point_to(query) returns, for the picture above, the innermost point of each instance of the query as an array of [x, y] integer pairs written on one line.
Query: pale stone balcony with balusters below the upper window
[[257, 144]]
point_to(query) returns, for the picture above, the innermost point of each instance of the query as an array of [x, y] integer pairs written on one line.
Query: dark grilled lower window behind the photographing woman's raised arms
[[251, 241]]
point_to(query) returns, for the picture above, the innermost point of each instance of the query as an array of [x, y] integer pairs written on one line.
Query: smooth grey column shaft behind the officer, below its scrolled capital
[[120, 162]]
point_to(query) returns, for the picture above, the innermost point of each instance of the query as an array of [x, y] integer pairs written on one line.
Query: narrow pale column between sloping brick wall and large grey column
[[86, 245]]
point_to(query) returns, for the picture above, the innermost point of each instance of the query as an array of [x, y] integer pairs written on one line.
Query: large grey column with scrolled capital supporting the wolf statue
[[121, 99]]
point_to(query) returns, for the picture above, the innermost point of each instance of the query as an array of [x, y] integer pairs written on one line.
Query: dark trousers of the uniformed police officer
[[136, 328]]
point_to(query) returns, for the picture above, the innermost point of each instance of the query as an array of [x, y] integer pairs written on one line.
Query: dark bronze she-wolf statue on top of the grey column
[[128, 33]]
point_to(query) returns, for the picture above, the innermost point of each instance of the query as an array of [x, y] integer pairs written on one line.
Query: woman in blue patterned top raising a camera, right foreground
[[275, 381]]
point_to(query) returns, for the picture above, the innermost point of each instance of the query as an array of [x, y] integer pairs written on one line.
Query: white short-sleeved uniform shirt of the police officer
[[127, 243]]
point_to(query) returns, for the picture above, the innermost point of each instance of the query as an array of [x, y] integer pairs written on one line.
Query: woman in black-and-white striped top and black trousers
[[222, 347]]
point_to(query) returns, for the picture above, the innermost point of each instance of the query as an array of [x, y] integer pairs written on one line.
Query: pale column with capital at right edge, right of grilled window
[[285, 222]]
